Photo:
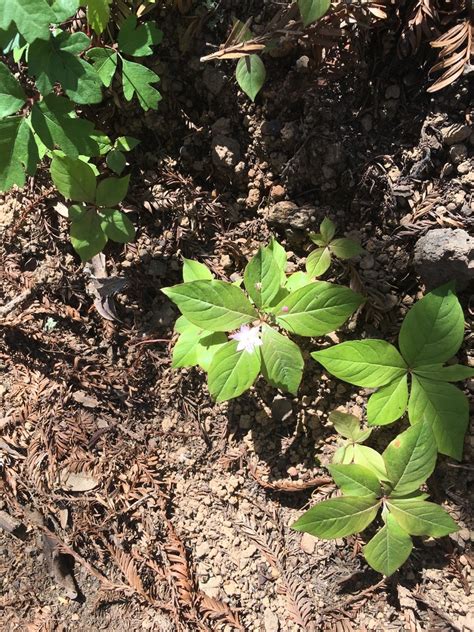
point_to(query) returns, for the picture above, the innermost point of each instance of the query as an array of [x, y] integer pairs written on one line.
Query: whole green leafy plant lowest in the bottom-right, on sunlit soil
[[408, 461]]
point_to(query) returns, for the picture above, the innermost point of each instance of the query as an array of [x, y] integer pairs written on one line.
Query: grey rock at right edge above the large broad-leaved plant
[[443, 255]]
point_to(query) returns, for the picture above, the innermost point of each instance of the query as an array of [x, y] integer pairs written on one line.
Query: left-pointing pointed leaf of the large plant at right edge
[[369, 363]]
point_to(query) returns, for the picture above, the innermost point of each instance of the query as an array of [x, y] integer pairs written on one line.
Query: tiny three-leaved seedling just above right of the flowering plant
[[319, 260]]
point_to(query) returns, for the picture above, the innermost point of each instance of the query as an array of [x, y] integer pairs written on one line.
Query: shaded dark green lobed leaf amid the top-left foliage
[[57, 61]]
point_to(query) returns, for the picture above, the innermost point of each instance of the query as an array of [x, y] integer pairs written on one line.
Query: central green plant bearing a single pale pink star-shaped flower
[[234, 336]]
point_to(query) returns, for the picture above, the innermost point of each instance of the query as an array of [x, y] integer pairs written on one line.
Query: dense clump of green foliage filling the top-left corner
[[47, 75]]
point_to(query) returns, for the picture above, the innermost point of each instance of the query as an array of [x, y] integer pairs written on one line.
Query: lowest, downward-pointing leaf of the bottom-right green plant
[[389, 548]]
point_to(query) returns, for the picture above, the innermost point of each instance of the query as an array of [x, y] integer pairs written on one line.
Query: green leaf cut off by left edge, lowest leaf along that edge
[[18, 152]]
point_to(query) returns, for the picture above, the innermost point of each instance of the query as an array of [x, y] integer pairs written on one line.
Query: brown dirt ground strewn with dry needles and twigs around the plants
[[137, 503]]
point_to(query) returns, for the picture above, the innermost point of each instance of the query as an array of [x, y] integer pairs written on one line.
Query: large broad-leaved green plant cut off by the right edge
[[430, 335]]
